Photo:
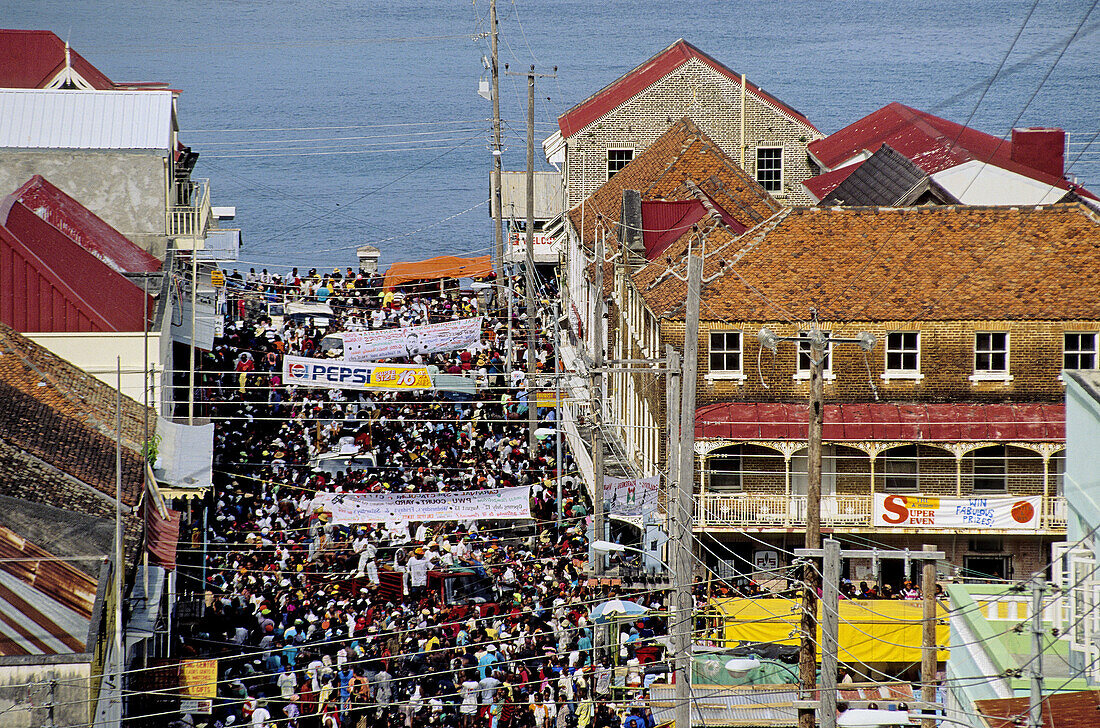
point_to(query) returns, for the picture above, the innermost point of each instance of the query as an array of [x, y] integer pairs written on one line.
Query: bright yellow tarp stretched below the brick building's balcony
[[872, 631]]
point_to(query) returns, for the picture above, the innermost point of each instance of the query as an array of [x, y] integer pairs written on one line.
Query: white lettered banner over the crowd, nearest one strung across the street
[[504, 504]]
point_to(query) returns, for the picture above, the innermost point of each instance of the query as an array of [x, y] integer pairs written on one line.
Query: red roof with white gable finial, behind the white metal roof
[[32, 59]]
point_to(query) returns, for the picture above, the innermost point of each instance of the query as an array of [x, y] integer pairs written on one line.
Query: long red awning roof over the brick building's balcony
[[890, 422]]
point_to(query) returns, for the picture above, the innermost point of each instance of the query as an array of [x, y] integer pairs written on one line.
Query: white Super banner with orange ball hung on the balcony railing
[[1003, 513]]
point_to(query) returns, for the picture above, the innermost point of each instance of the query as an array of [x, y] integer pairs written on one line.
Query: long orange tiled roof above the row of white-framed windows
[[908, 264]]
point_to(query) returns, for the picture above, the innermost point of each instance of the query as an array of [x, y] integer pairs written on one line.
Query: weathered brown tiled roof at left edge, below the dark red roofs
[[63, 420]]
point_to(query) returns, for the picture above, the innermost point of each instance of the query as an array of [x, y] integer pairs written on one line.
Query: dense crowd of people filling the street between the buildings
[[458, 624]]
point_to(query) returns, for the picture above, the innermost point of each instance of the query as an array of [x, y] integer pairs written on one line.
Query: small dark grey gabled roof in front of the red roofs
[[887, 179]]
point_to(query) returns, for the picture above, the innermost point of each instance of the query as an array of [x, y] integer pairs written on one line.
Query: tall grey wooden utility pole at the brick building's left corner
[[683, 512]]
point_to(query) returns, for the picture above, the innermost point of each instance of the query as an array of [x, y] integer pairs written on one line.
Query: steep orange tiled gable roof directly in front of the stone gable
[[681, 155]]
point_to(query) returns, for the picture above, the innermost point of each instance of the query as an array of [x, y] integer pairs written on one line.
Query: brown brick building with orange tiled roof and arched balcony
[[976, 311]]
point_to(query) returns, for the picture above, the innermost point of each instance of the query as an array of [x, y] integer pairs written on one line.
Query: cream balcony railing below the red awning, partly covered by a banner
[[762, 512]]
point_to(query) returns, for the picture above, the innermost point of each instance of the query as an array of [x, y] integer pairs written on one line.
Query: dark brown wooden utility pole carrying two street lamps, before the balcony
[[808, 663]]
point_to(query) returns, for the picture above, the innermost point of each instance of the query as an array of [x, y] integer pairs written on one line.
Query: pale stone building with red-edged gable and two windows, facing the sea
[[603, 134]]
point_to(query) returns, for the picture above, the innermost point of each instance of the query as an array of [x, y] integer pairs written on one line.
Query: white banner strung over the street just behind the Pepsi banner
[[428, 339]]
